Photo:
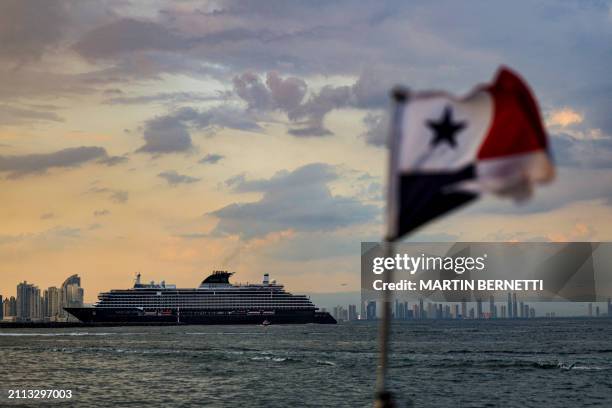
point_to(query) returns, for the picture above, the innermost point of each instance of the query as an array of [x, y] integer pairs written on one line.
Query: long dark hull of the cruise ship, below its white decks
[[130, 316]]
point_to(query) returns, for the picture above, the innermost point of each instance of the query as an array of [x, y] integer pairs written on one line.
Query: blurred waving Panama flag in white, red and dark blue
[[446, 151]]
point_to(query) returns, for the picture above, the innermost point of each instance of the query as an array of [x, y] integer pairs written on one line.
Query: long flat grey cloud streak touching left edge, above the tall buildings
[[18, 166]]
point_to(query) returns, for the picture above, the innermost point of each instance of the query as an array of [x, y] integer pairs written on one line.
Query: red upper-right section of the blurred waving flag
[[516, 125]]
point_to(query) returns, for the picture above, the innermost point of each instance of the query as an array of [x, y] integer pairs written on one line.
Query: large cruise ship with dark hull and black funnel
[[215, 301]]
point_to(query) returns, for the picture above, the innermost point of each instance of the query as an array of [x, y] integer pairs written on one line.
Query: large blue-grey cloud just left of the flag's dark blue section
[[298, 200]]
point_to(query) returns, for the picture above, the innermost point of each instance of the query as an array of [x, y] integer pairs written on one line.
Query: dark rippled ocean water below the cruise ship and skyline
[[529, 363]]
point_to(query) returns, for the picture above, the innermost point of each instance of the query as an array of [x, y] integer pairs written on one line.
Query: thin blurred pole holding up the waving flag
[[384, 398]]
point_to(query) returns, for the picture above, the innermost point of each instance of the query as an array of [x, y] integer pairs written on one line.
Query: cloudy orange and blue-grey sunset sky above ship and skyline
[[176, 138]]
